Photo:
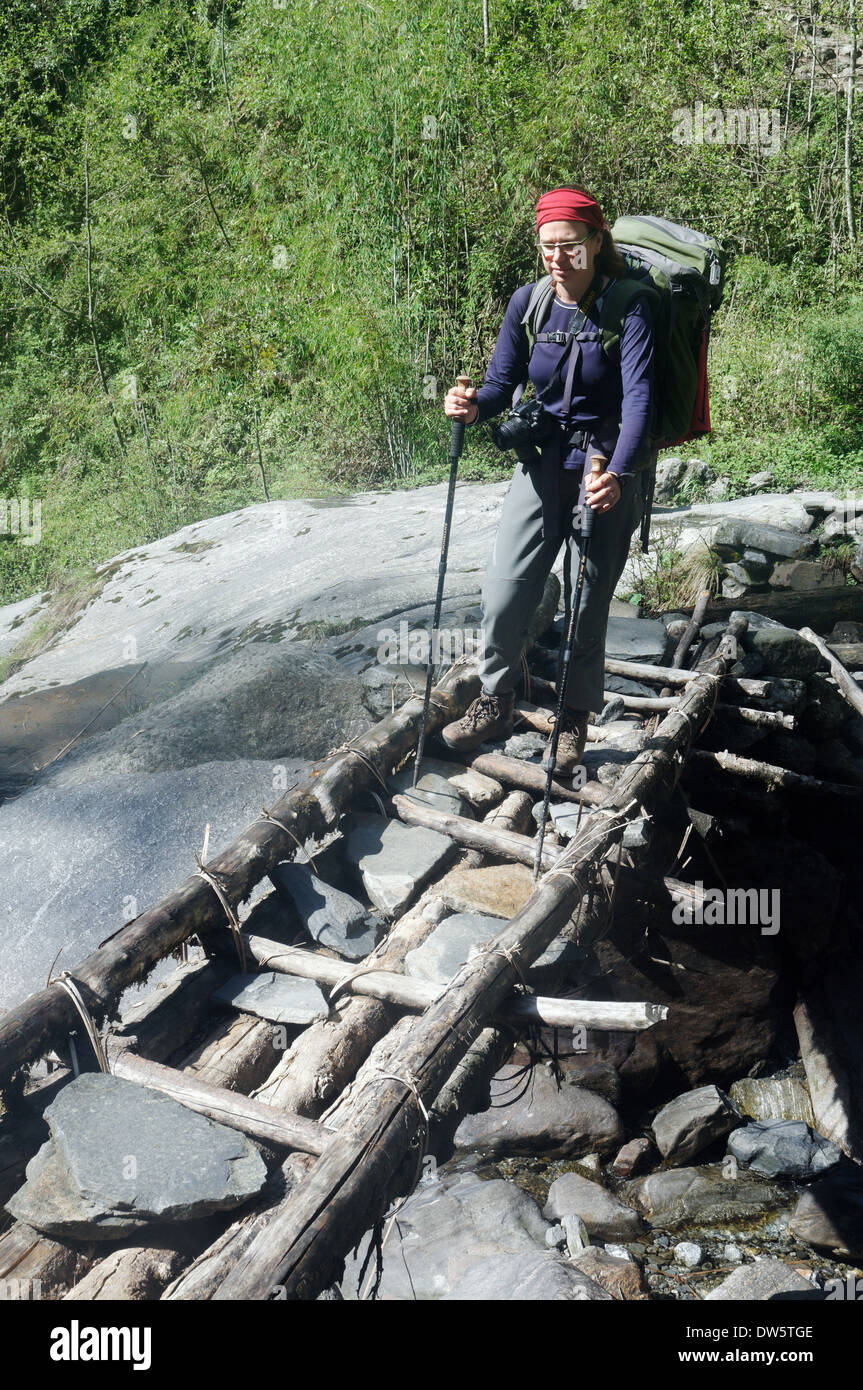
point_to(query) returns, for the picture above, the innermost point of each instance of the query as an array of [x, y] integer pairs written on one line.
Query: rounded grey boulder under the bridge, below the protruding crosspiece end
[[559, 1124]]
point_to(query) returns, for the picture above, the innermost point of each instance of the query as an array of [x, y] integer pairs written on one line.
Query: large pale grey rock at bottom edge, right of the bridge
[[465, 1239]]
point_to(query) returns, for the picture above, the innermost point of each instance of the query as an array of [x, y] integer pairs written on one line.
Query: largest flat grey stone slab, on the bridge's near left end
[[123, 1157]]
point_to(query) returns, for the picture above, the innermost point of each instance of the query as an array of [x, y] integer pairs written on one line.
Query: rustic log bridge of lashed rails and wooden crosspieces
[[359, 1097]]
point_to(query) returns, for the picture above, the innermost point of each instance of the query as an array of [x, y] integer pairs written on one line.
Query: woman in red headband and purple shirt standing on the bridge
[[598, 404]]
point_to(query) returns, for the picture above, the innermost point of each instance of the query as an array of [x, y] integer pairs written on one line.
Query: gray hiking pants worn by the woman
[[520, 565]]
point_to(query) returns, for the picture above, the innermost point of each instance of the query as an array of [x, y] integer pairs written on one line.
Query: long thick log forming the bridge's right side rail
[[348, 1188]]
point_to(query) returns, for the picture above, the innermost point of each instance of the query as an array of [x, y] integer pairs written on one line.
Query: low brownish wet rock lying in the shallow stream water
[[701, 1196]]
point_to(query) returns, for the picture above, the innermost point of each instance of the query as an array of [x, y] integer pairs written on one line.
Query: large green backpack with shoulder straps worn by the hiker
[[680, 272]]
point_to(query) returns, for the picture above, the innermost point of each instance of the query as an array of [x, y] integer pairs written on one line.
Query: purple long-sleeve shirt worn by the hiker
[[604, 390]]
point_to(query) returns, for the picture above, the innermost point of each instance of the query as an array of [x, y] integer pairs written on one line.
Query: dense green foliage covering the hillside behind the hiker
[[304, 220]]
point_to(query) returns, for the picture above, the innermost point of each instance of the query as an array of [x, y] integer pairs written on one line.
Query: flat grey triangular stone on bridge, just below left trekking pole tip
[[395, 861]]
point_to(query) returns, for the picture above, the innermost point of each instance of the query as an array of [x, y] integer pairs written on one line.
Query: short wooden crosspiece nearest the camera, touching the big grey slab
[[217, 1103]]
